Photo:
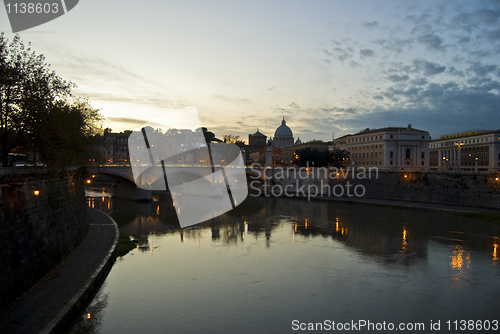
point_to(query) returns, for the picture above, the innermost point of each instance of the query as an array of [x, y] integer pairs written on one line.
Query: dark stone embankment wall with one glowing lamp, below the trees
[[42, 219]]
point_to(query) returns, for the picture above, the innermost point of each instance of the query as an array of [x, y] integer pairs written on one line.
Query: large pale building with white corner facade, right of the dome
[[388, 148]]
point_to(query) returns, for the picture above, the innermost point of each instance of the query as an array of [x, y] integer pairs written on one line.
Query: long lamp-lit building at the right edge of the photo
[[468, 151]]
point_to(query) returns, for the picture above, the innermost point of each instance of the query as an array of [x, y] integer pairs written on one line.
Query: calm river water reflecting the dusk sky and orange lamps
[[273, 265]]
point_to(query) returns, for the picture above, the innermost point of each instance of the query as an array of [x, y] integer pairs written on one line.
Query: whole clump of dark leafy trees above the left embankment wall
[[37, 110]]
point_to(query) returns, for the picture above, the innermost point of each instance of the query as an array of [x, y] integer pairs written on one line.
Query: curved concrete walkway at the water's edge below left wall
[[55, 300]]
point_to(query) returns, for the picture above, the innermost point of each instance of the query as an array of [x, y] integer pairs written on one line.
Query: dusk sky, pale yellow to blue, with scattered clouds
[[329, 68]]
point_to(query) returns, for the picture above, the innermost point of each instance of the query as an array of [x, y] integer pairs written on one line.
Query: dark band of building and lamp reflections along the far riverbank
[[394, 235]]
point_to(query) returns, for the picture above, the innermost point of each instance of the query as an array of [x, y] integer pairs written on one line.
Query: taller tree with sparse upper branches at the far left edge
[[28, 90]]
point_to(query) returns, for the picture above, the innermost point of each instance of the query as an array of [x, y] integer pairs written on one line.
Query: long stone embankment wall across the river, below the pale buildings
[[450, 188]]
